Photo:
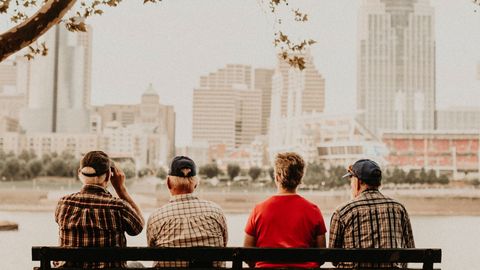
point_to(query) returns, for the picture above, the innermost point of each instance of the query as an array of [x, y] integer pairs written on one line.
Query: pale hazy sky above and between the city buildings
[[173, 43]]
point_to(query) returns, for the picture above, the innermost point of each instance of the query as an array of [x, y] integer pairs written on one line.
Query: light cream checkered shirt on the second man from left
[[187, 221]]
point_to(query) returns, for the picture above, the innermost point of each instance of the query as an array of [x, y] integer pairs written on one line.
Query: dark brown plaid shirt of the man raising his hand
[[94, 218]]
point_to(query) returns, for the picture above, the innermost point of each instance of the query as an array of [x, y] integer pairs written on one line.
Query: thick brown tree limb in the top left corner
[[27, 32]]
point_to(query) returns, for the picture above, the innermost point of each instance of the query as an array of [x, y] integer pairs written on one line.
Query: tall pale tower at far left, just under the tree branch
[[59, 84]]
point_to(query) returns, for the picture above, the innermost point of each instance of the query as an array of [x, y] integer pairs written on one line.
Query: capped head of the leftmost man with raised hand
[[94, 166]]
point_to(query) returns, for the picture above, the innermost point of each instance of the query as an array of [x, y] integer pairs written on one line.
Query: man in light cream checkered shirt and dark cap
[[186, 221]]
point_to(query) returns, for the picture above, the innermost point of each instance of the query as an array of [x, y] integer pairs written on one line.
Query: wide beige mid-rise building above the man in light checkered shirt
[[227, 110]]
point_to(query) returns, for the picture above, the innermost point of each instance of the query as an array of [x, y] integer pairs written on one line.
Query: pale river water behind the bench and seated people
[[457, 236]]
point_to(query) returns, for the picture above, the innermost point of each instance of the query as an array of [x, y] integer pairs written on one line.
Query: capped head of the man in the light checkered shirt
[[182, 174]]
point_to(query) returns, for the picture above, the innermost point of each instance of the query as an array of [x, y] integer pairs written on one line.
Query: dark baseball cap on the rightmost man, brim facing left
[[366, 170]]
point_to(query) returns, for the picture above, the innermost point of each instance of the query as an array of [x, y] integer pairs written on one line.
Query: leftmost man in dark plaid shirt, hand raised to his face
[[93, 217]]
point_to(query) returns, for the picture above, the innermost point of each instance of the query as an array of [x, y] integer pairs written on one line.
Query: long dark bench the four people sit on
[[235, 255]]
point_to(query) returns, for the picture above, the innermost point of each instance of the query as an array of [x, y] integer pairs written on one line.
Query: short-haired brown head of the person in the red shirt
[[290, 167]]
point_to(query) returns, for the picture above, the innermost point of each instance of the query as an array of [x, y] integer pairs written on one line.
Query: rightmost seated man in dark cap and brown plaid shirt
[[370, 219]]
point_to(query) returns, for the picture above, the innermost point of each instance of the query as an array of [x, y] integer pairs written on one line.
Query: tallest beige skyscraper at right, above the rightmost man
[[396, 65]]
